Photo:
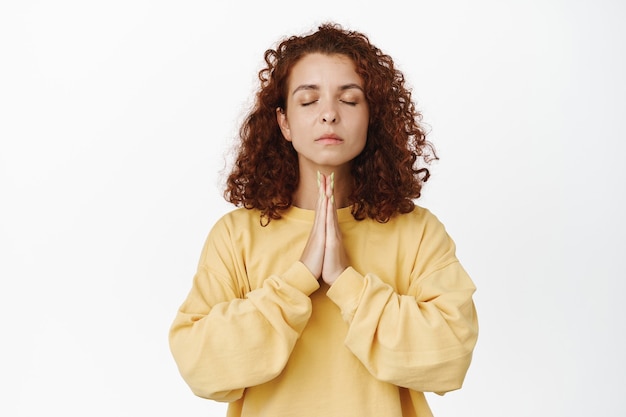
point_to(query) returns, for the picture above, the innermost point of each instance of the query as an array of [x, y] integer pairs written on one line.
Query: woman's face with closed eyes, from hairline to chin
[[327, 116]]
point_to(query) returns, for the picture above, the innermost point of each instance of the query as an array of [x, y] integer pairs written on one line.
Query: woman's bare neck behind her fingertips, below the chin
[[307, 193]]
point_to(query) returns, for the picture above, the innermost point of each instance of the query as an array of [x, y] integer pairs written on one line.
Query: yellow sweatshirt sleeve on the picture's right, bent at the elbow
[[422, 339]]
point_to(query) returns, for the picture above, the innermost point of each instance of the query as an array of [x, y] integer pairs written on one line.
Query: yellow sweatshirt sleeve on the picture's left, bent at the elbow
[[226, 337]]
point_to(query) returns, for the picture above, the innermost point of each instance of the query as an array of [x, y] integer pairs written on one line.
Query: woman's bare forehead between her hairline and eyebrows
[[322, 69]]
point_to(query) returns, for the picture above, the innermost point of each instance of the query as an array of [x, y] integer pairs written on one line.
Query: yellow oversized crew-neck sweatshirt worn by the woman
[[259, 331]]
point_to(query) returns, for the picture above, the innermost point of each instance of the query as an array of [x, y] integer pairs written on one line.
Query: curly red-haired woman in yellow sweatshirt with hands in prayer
[[328, 292]]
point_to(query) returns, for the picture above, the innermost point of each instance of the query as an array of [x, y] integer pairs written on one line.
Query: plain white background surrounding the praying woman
[[115, 123]]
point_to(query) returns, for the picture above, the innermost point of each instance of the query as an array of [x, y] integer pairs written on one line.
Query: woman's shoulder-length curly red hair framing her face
[[388, 174]]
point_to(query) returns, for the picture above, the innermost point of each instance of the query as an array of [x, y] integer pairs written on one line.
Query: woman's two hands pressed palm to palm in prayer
[[324, 253]]
